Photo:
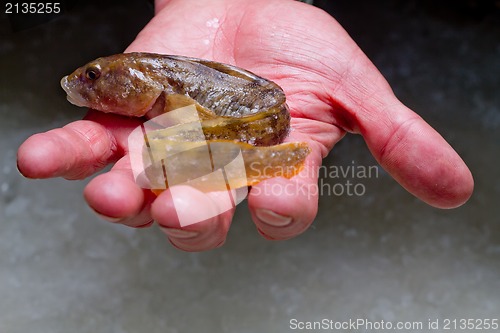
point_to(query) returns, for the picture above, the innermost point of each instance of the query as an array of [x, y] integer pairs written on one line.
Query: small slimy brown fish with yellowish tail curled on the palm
[[235, 106]]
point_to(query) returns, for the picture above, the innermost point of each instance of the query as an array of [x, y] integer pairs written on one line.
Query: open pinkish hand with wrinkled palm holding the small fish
[[332, 88]]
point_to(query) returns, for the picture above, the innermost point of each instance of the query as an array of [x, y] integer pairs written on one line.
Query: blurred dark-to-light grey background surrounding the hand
[[381, 256]]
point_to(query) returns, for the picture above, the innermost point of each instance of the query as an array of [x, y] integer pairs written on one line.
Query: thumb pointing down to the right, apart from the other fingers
[[420, 159]]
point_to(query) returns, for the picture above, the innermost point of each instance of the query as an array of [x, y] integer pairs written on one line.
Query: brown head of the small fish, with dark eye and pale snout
[[117, 84]]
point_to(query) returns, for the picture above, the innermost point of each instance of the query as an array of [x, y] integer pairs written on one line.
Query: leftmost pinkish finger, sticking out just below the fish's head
[[76, 150]]
